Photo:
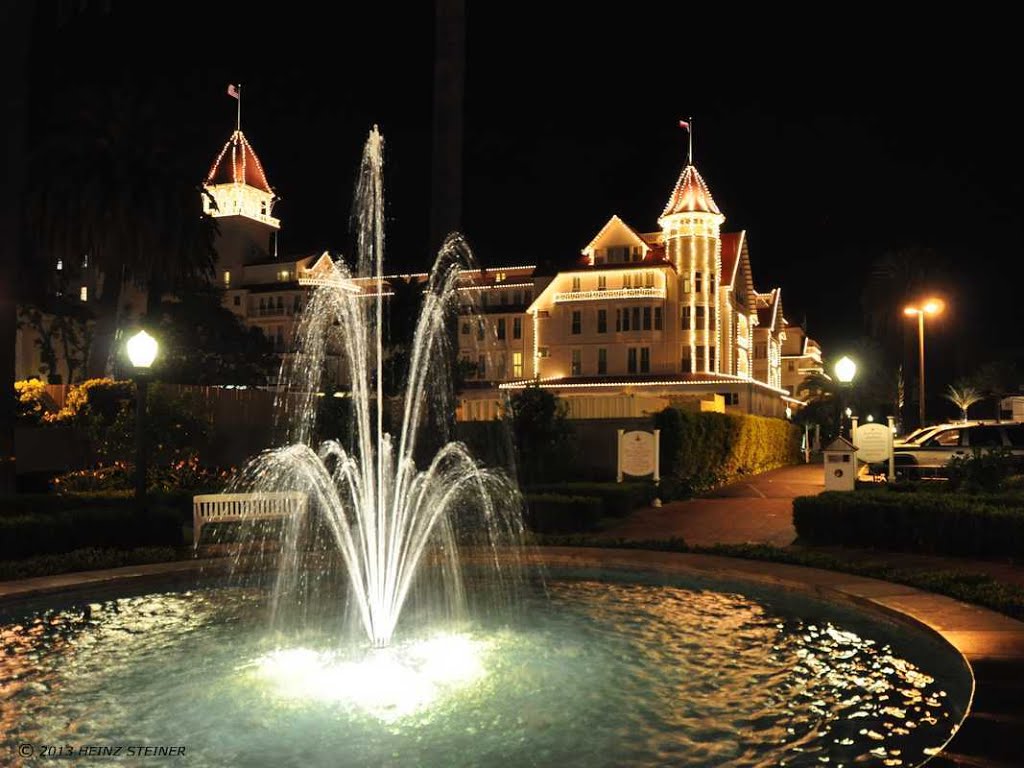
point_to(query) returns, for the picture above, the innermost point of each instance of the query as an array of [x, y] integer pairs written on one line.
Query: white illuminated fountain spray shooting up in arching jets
[[383, 514]]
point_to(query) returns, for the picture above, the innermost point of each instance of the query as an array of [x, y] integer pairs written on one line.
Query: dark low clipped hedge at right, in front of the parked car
[[933, 524]]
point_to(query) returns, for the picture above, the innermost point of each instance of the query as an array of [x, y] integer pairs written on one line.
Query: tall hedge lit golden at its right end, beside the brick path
[[705, 450]]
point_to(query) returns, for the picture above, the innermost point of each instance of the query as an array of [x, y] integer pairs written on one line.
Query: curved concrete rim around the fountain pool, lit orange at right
[[978, 635]]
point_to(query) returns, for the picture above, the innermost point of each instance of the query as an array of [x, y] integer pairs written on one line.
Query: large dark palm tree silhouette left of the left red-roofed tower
[[109, 183]]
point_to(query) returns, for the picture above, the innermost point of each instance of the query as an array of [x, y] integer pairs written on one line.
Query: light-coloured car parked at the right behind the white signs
[[934, 451]]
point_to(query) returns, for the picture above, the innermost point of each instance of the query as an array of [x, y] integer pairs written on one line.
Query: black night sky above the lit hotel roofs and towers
[[829, 141]]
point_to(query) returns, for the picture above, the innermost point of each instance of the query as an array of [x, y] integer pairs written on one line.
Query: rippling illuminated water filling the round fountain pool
[[593, 669]]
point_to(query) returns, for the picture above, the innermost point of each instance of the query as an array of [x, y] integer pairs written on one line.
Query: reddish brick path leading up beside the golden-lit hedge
[[755, 509]]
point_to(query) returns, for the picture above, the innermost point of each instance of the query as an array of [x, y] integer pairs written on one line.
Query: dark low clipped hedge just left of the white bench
[[115, 524]]
